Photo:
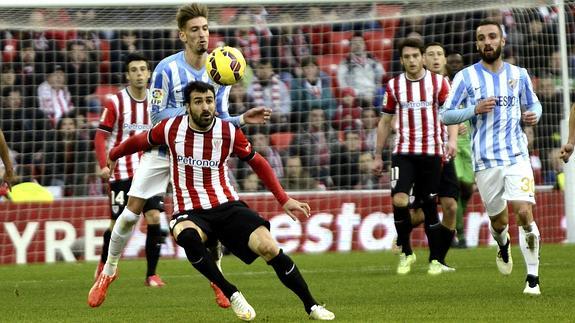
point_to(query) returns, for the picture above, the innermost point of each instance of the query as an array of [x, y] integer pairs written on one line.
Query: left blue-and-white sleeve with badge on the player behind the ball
[[160, 88]]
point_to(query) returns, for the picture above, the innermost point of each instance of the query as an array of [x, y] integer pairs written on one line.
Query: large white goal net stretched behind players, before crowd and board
[[322, 138]]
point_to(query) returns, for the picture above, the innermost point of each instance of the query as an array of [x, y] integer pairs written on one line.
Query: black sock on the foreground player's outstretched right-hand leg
[[290, 276]]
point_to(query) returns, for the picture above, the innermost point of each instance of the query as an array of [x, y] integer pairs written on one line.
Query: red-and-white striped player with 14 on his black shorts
[[125, 114]]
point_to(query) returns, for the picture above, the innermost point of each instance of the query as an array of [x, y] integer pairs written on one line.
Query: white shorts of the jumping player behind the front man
[[152, 176]]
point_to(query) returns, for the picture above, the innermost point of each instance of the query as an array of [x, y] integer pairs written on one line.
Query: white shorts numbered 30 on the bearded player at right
[[500, 184]]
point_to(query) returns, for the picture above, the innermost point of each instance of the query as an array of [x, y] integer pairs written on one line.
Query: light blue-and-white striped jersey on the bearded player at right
[[496, 137]]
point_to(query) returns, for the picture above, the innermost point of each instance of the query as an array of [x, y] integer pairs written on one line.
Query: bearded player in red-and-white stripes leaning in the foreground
[[206, 205]]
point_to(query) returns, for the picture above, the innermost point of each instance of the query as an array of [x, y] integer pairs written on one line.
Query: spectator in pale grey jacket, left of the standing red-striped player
[[360, 71]]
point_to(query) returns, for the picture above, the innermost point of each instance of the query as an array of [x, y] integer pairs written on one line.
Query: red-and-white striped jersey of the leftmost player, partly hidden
[[124, 116]]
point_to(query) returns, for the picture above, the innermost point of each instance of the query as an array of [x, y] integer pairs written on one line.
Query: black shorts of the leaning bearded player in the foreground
[[231, 223]]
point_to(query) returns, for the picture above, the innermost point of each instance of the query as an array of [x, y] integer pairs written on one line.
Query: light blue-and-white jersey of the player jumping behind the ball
[[170, 77]]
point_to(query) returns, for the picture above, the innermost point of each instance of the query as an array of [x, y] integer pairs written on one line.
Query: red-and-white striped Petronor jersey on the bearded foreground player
[[198, 161]]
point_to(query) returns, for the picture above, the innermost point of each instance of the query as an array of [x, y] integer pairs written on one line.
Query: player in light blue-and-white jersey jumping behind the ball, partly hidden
[[169, 79]]
